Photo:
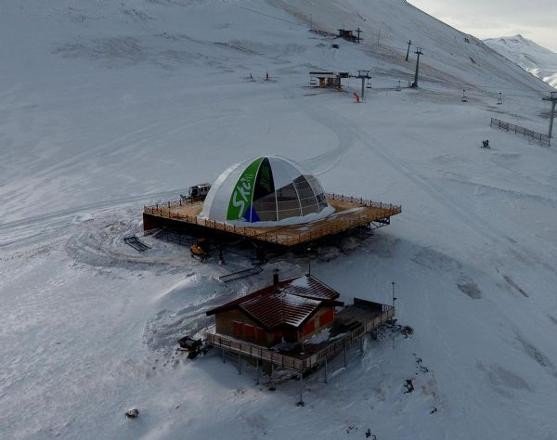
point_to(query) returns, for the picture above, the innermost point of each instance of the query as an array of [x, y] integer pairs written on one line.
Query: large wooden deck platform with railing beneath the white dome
[[350, 213]]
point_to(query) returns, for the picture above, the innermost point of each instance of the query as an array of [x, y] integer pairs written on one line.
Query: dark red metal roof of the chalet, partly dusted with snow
[[290, 302]]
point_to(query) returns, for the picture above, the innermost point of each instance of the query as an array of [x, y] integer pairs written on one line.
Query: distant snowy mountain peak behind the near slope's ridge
[[532, 57]]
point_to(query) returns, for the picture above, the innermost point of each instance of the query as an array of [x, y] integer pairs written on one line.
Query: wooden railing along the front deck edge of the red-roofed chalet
[[264, 354]]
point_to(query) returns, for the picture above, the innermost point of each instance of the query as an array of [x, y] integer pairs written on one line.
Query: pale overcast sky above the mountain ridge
[[534, 19]]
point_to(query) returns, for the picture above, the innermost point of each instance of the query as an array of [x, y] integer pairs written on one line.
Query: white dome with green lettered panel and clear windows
[[266, 191]]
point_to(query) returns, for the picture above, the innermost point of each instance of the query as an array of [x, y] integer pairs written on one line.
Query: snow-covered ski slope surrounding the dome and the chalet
[[106, 106]]
